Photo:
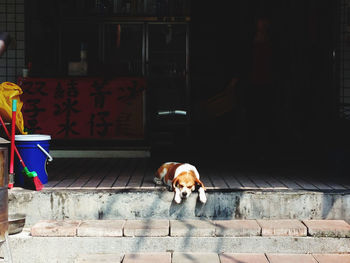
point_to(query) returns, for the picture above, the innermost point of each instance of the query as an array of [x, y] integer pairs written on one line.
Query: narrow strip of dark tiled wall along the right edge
[[344, 62]]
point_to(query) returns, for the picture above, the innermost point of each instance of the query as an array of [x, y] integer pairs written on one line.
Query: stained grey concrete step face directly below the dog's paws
[[80, 204]]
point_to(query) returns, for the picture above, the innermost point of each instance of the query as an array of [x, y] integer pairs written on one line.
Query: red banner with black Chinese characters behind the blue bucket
[[84, 108]]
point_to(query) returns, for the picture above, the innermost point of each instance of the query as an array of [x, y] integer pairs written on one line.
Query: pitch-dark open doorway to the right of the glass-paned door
[[279, 54]]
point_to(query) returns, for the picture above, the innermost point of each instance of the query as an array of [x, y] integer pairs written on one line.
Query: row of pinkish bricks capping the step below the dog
[[193, 228]]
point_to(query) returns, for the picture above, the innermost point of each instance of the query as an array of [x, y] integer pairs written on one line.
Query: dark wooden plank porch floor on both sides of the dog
[[137, 174]]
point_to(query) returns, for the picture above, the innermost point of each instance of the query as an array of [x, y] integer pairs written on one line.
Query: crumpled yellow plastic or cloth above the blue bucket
[[8, 92]]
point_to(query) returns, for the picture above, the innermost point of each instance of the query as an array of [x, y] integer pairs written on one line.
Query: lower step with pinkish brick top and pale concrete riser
[[69, 240]]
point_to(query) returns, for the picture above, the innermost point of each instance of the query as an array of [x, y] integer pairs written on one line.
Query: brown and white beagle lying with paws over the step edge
[[182, 178]]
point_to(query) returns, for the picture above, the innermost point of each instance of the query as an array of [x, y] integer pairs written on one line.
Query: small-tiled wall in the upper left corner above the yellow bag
[[12, 21]]
